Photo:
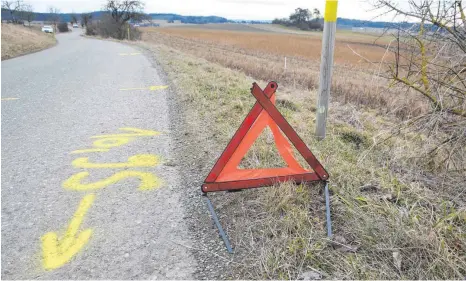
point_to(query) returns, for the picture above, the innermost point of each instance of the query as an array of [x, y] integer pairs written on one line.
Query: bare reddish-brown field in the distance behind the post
[[290, 45]]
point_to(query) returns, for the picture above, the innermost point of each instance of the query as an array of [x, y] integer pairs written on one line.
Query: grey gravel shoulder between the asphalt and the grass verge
[[194, 149]]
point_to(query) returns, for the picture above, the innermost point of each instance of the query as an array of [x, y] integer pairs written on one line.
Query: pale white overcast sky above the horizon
[[231, 9]]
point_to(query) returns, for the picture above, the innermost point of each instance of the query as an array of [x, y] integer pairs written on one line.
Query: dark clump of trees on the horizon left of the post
[[303, 19]]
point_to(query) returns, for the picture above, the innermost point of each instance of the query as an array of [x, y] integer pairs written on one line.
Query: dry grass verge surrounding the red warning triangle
[[392, 219]]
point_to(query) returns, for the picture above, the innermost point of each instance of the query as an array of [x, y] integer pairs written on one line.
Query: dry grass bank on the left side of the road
[[18, 40]]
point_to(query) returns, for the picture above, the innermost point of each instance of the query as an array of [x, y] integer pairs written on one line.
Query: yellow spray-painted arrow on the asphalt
[[57, 252]]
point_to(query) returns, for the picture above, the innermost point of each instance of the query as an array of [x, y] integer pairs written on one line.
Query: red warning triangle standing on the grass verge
[[225, 175]]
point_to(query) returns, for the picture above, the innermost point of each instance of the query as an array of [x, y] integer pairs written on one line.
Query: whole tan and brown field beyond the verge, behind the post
[[353, 81]]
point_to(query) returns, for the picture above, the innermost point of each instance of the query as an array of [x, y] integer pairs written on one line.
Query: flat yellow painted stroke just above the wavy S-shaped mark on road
[[140, 160]]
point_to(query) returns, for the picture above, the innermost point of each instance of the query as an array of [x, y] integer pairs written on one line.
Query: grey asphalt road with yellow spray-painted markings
[[74, 202]]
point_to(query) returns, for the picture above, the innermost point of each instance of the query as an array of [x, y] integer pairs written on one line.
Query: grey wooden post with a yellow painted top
[[326, 64]]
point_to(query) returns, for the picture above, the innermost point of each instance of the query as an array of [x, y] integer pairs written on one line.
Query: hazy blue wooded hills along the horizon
[[341, 22]]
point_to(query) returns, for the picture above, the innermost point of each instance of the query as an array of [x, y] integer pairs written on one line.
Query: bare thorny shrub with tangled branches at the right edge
[[430, 61]]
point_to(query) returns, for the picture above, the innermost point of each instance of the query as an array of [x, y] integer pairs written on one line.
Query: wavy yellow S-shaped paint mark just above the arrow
[[148, 181]]
